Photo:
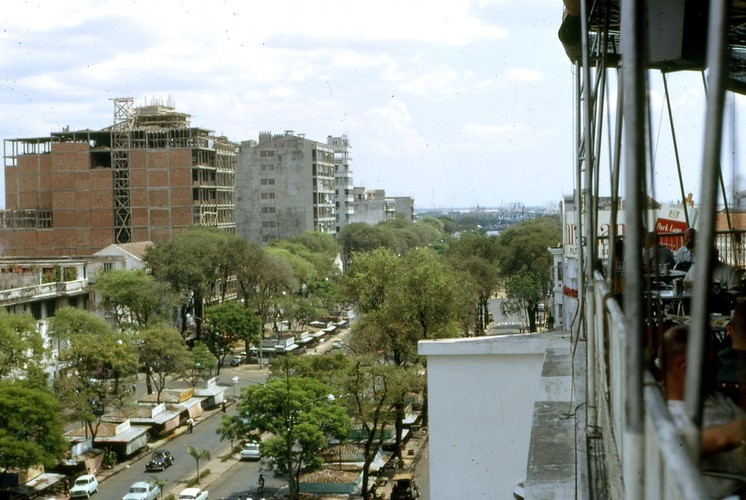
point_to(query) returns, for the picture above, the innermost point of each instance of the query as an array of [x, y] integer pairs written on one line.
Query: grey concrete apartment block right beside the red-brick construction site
[[285, 185]]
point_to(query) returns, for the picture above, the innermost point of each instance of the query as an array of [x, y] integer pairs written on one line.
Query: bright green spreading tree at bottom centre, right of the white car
[[299, 414]]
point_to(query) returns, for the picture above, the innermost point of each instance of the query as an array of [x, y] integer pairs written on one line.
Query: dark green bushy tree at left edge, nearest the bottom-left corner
[[30, 426]]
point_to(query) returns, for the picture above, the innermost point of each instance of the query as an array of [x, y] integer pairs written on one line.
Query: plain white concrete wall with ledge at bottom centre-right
[[481, 395]]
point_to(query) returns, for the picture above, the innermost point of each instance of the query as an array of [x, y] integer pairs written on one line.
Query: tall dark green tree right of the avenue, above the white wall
[[524, 263]]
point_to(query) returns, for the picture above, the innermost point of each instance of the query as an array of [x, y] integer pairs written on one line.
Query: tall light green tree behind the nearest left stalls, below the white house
[[97, 360]]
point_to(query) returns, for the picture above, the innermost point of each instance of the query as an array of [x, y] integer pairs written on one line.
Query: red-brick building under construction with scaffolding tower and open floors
[[145, 178]]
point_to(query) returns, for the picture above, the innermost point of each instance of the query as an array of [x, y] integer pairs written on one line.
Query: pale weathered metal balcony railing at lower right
[[669, 472]]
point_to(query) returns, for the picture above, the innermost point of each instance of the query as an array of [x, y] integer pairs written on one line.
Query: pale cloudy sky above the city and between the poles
[[456, 103]]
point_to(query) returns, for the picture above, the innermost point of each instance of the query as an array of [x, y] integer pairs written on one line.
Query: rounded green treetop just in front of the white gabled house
[[132, 297]]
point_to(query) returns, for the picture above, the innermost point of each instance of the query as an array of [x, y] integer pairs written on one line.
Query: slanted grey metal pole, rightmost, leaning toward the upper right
[[716, 62]]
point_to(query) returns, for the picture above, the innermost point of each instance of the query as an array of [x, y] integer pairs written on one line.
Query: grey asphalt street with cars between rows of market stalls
[[204, 437]]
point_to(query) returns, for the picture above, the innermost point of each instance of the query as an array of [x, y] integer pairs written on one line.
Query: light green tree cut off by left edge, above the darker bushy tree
[[21, 345]]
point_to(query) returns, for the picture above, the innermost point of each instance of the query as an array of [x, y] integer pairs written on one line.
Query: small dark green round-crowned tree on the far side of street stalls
[[226, 323]]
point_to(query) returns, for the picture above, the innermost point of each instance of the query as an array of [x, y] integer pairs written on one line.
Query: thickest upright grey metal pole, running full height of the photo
[[633, 42]]
